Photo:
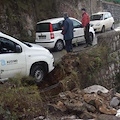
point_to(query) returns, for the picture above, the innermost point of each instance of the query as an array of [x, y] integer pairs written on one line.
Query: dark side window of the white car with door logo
[[7, 46]]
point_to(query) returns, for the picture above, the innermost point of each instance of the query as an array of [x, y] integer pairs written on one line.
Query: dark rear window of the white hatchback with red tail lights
[[43, 27]]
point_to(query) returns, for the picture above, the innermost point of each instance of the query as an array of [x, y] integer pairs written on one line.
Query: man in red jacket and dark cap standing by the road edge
[[86, 25]]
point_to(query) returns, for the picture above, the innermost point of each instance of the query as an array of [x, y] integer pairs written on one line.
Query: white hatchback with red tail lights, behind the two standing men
[[49, 35]]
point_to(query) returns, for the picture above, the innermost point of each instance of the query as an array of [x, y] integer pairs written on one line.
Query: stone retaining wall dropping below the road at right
[[108, 72]]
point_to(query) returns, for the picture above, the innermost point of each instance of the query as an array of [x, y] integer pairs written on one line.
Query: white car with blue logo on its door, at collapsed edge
[[24, 58]]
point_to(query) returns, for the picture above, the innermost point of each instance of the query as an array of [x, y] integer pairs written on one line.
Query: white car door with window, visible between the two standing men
[[78, 31]]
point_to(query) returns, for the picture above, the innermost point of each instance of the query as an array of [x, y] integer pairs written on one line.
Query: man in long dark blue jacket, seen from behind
[[68, 32]]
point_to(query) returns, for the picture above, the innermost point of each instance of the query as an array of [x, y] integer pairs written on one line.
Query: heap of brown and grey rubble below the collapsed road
[[88, 103]]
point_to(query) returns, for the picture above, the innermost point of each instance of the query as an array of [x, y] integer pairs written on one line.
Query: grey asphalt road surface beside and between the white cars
[[58, 55]]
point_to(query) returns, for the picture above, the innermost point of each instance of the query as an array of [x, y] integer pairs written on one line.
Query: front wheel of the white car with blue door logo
[[38, 73]]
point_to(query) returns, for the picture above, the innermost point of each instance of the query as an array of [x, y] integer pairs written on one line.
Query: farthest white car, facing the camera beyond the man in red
[[102, 21]]
